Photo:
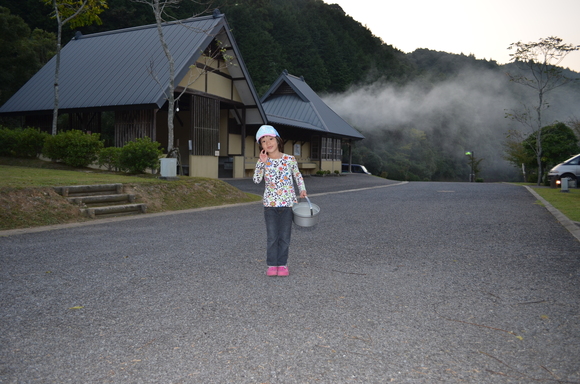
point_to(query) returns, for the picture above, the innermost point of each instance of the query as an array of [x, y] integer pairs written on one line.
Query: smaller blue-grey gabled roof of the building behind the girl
[[290, 101]]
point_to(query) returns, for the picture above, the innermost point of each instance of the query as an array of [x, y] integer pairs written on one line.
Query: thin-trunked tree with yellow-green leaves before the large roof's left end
[[76, 13]]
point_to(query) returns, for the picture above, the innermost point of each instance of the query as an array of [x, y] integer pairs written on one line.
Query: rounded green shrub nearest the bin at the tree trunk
[[138, 155]]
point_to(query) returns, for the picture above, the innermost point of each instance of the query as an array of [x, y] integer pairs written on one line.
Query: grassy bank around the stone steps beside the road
[[27, 198]]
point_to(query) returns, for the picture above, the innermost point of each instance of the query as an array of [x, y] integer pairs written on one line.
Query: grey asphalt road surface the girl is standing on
[[405, 283]]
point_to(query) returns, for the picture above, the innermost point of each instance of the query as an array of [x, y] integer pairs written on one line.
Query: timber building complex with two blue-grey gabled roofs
[[125, 74]]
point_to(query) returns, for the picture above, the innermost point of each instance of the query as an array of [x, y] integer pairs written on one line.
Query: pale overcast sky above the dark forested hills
[[484, 28]]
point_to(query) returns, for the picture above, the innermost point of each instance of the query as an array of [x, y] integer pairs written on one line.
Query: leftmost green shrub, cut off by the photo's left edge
[[19, 142]]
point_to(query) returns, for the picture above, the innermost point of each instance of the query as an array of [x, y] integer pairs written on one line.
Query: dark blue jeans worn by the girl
[[278, 229]]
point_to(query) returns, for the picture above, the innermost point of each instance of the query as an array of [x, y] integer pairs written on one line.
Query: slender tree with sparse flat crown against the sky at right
[[539, 61]]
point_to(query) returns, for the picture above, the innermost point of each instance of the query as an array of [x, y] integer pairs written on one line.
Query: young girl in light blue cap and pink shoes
[[277, 169]]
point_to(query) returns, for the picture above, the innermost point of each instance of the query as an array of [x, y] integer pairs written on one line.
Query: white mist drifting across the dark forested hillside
[[463, 113]]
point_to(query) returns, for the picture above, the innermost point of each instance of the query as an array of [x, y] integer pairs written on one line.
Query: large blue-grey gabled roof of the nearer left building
[[112, 69]]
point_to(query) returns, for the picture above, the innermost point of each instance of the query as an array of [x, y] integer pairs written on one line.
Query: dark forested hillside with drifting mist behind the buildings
[[419, 111]]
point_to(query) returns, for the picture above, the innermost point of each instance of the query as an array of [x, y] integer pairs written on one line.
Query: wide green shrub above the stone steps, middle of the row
[[74, 148]]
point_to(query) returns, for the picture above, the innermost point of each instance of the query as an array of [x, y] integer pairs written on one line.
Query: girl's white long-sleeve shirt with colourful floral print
[[277, 175]]
